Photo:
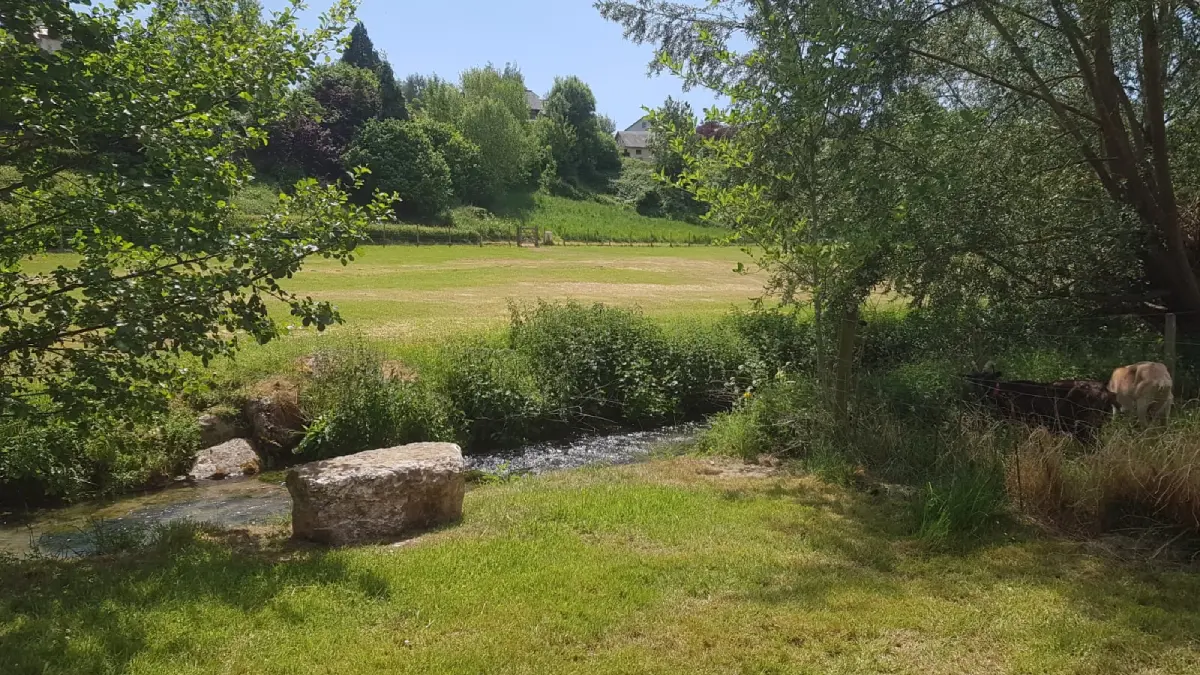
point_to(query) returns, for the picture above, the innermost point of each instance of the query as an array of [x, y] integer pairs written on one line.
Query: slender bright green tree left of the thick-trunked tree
[[803, 177]]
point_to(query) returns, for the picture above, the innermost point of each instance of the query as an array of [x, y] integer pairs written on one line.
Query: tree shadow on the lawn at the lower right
[[1153, 606]]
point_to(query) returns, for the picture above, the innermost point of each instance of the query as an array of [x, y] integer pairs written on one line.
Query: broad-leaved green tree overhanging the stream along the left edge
[[125, 148]]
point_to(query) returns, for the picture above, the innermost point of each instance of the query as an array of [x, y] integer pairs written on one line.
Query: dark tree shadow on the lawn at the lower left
[[89, 616]]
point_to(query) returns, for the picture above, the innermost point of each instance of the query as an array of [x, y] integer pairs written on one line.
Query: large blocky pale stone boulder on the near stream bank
[[379, 495]]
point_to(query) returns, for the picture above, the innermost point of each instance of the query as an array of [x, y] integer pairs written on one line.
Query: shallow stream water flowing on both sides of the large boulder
[[238, 503]]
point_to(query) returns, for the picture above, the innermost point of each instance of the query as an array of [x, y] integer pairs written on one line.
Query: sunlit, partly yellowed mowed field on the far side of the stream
[[415, 295]]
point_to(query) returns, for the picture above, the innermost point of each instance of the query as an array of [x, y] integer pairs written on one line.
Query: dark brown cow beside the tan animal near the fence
[[1077, 408]]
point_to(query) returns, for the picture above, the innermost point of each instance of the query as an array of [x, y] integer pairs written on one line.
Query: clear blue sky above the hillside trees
[[544, 38]]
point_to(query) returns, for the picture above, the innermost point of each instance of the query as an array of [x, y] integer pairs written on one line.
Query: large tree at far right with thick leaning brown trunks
[[1097, 94]]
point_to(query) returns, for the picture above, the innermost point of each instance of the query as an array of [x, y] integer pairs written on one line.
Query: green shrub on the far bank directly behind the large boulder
[[356, 405]]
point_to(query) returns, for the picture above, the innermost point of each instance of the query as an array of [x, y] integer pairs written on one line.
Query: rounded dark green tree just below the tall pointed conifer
[[403, 162]]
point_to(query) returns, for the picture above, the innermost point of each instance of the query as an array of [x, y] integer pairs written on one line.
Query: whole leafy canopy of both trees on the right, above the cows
[[1035, 153]]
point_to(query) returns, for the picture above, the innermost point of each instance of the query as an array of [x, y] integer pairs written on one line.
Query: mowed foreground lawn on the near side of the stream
[[673, 566]]
